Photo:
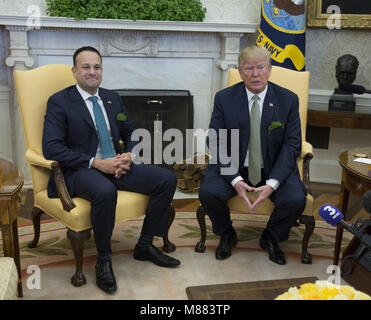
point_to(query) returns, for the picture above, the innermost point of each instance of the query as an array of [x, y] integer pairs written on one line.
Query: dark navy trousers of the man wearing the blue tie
[[101, 190]]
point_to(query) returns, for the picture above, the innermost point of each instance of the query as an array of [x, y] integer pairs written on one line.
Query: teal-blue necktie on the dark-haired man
[[102, 129]]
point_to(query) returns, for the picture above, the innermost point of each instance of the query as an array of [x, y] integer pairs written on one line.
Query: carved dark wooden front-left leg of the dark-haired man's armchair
[[77, 242]]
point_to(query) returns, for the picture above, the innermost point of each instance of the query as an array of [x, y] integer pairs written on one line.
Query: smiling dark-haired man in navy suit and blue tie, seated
[[82, 128]]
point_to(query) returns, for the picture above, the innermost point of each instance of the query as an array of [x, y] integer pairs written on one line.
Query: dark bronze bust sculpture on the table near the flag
[[346, 72]]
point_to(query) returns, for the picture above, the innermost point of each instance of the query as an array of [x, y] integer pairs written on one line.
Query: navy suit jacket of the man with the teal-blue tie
[[70, 136]]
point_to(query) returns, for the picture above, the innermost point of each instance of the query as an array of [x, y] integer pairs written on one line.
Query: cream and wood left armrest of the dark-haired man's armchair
[[38, 160]]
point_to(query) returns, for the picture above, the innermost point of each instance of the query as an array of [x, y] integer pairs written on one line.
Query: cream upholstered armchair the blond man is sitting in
[[298, 82]]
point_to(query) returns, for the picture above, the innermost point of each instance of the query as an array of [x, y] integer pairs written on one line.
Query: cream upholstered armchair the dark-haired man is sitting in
[[34, 87]]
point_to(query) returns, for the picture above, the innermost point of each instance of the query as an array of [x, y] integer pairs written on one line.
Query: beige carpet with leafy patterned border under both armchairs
[[143, 280]]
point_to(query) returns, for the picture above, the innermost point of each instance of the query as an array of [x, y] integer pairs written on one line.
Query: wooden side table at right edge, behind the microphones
[[354, 179]]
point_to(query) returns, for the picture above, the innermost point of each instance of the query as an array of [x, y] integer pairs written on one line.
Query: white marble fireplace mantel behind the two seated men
[[192, 56]]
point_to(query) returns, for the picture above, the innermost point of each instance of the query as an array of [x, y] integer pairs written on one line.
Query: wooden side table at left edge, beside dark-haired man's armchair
[[11, 183]]
